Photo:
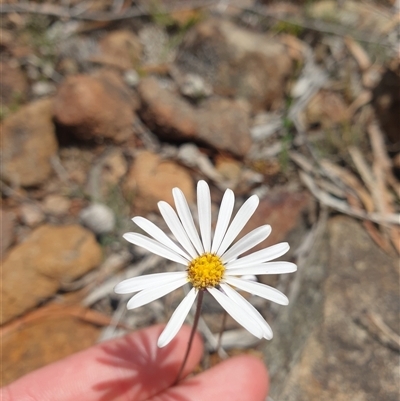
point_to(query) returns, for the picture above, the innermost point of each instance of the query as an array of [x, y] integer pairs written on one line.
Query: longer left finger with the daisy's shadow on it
[[131, 367]]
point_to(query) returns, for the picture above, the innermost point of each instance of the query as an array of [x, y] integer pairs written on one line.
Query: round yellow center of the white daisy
[[205, 271]]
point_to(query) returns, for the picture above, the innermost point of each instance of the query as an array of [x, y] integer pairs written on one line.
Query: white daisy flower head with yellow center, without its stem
[[210, 263]]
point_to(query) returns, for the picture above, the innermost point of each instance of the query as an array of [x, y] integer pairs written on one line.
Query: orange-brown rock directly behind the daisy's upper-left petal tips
[[151, 179]]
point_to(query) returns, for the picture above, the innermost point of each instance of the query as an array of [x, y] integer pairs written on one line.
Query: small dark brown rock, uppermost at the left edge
[[13, 85]]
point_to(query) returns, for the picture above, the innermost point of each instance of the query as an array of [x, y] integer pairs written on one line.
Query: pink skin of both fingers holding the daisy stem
[[133, 368]]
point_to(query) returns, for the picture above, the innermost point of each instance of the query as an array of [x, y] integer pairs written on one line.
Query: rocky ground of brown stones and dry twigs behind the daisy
[[106, 106]]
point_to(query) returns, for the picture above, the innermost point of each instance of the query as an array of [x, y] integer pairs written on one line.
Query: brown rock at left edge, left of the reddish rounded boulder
[[27, 143]]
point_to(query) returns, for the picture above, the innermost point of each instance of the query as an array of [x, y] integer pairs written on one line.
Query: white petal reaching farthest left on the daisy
[[139, 283]]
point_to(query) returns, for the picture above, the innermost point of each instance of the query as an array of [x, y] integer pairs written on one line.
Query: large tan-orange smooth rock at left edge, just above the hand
[[34, 269]]
